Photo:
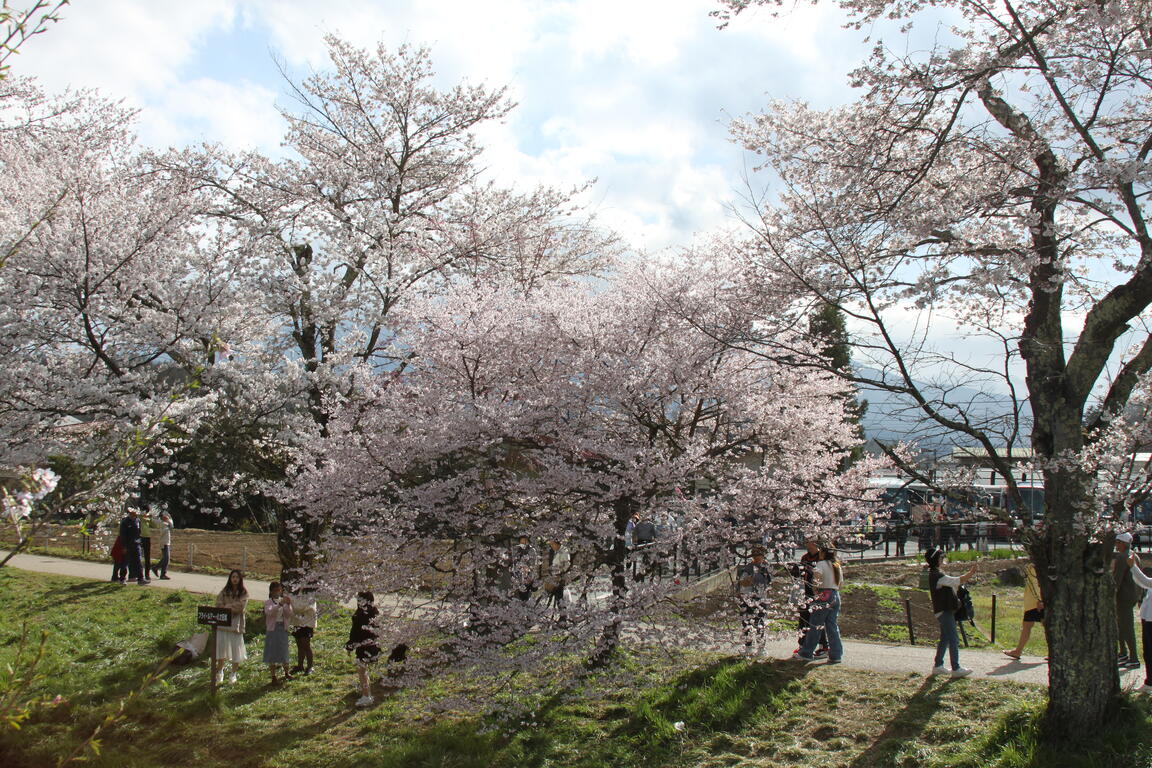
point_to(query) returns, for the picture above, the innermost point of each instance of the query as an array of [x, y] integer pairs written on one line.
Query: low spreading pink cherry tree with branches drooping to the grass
[[557, 415]]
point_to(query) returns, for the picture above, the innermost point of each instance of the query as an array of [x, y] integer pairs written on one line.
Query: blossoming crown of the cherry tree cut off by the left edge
[[112, 299]]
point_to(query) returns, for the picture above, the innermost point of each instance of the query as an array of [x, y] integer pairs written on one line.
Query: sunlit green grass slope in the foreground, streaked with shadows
[[651, 709]]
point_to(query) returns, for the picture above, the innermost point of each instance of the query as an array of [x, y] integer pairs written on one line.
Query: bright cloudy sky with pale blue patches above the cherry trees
[[634, 94]]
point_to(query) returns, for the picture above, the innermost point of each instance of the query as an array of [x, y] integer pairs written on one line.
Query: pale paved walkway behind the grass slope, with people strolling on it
[[895, 659]]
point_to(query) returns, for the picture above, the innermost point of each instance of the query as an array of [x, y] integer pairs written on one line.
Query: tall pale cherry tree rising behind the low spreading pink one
[[383, 199]]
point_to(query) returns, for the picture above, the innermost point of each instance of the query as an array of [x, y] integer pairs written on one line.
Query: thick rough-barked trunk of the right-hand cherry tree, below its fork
[[1075, 575]]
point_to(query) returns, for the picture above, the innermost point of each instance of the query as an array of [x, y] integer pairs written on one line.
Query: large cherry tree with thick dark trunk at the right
[[980, 209]]
